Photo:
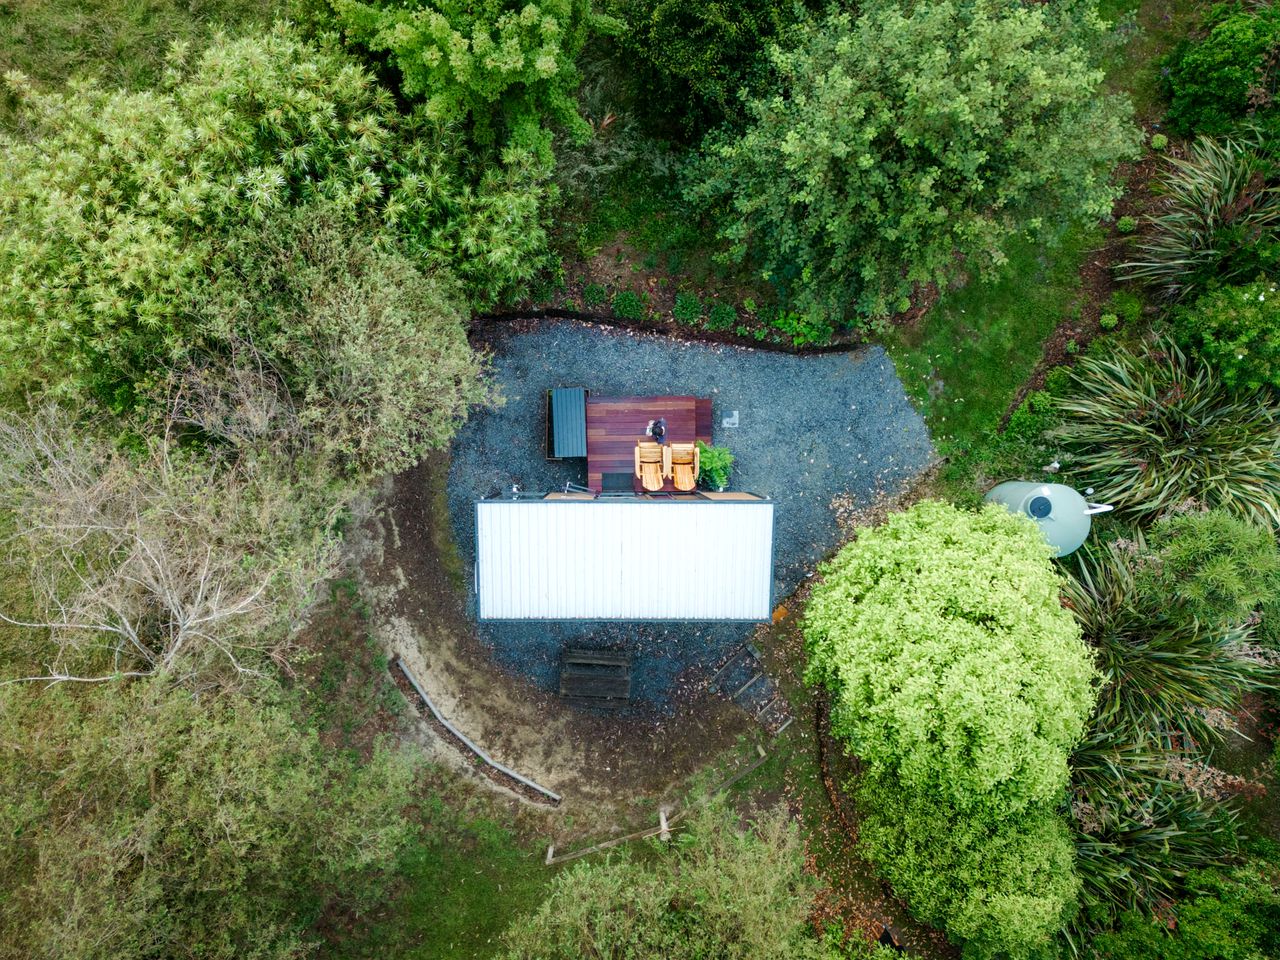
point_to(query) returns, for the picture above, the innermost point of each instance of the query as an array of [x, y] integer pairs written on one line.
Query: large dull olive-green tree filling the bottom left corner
[[143, 822]]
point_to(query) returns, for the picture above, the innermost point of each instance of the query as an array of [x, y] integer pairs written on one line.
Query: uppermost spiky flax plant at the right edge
[[1222, 213]]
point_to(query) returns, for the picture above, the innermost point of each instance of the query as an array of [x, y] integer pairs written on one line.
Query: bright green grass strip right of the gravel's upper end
[[964, 362]]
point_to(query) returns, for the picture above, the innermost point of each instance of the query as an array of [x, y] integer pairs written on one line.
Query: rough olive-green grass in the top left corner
[[122, 43]]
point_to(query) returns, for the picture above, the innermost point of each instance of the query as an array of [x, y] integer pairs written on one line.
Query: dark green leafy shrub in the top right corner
[[1217, 81]]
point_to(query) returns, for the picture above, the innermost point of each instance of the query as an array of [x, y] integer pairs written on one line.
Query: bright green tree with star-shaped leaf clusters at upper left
[[112, 209]]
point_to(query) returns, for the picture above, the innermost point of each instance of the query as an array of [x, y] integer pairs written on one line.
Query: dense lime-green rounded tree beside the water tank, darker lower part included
[[962, 684]]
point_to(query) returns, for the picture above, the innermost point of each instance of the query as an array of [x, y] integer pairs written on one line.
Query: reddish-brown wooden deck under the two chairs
[[616, 424]]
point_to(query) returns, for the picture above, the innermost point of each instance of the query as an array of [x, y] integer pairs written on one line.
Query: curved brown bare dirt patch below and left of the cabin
[[611, 771]]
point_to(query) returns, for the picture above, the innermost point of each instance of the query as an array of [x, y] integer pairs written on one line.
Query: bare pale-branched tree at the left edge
[[150, 564]]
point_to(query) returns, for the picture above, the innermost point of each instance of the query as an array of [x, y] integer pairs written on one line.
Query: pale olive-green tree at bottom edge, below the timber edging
[[719, 893]]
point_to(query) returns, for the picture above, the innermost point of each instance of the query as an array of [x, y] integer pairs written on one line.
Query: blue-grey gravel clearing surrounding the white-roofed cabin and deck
[[810, 428]]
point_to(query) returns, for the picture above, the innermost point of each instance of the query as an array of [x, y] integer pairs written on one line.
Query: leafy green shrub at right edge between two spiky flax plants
[[1237, 330]]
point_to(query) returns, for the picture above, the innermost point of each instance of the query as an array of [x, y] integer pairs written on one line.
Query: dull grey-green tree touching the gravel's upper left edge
[[371, 351]]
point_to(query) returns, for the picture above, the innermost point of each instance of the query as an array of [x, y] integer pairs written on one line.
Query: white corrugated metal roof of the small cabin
[[624, 560]]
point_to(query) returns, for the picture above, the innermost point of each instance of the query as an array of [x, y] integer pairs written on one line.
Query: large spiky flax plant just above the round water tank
[[1155, 429]]
